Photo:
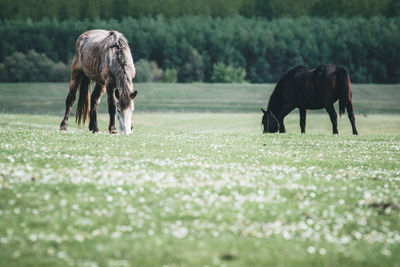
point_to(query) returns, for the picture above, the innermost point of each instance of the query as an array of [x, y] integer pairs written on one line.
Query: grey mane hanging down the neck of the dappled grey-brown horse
[[124, 69]]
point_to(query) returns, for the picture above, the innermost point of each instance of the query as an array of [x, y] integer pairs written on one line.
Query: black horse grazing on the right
[[305, 88]]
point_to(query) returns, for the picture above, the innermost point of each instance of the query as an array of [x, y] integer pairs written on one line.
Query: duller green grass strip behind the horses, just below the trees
[[49, 98]]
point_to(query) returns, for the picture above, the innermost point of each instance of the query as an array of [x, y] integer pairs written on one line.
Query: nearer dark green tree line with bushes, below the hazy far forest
[[203, 48]]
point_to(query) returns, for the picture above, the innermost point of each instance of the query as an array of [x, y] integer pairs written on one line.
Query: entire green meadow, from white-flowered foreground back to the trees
[[198, 188]]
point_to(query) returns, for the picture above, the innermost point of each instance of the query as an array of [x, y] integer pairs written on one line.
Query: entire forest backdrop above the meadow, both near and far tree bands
[[194, 41]]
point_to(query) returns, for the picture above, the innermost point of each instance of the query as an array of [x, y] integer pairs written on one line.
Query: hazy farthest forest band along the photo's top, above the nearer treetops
[[118, 9]]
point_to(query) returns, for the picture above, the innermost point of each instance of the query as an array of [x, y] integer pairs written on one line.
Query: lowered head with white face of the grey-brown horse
[[125, 107]]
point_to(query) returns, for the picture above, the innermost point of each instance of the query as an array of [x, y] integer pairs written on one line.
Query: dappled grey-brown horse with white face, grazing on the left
[[102, 57]]
